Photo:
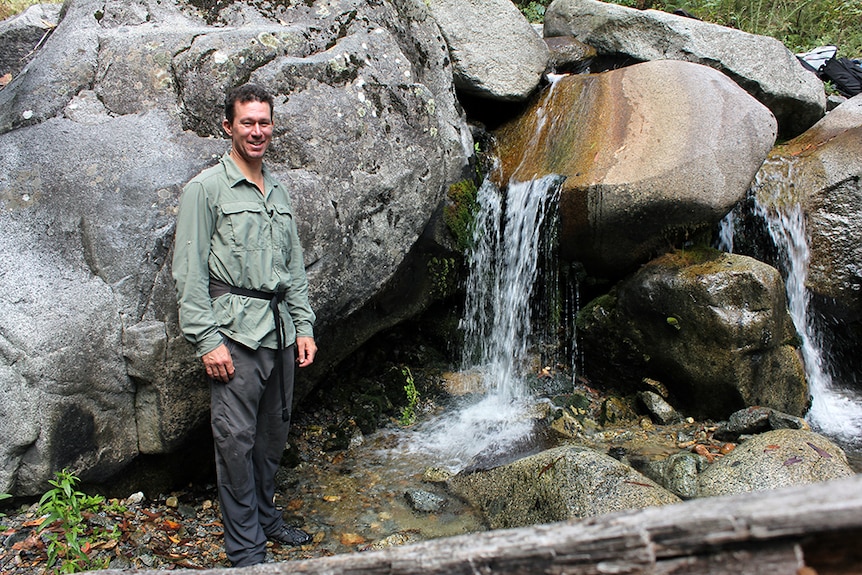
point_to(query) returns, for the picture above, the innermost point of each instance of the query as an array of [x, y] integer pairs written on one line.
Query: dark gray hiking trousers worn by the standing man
[[250, 437]]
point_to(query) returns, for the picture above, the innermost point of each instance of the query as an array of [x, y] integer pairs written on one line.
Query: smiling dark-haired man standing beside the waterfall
[[243, 302]]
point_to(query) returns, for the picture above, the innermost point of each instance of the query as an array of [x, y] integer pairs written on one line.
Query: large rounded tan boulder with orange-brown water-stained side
[[652, 153]]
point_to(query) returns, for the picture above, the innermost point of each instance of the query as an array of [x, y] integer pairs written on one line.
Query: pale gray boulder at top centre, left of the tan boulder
[[495, 51]]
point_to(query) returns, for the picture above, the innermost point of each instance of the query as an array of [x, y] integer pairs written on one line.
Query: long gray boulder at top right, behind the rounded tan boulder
[[761, 65]]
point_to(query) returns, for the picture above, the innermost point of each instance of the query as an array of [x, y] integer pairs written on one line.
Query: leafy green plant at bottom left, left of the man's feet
[[64, 508]]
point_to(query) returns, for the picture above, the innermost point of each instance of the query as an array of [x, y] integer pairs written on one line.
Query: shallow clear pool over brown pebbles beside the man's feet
[[356, 500]]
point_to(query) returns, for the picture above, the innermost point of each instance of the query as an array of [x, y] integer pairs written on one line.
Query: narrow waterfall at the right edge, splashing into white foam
[[834, 411]]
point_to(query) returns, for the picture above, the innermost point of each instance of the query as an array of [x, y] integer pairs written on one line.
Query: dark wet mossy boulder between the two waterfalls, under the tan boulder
[[712, 327]]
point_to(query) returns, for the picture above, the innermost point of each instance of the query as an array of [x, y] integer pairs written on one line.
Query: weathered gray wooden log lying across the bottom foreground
[[809, 530]]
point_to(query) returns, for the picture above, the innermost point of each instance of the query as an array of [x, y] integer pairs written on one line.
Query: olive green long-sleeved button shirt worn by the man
[[228, 230]]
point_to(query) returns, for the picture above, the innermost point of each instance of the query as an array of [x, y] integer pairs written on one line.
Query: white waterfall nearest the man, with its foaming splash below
[[497, 325]]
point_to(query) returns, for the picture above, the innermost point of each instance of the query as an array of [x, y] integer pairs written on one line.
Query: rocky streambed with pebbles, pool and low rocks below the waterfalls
[[355, 492]]
